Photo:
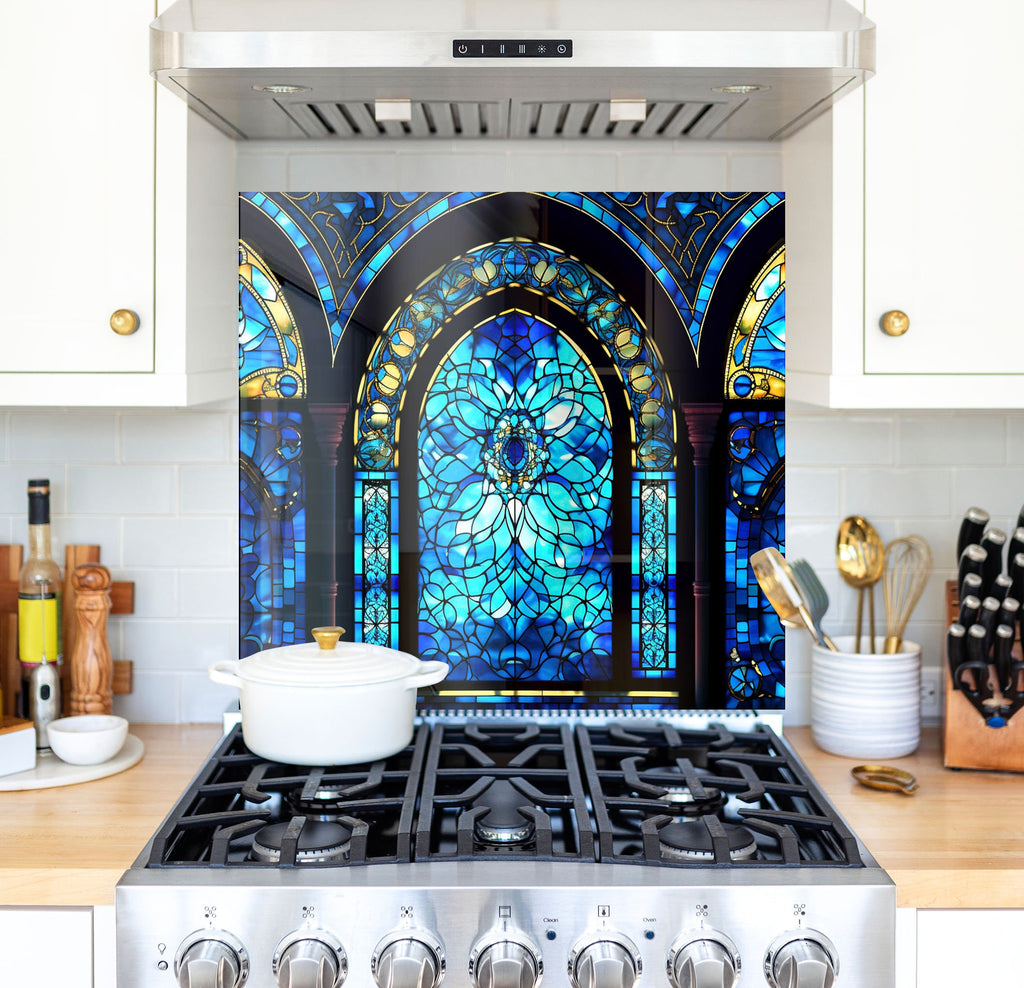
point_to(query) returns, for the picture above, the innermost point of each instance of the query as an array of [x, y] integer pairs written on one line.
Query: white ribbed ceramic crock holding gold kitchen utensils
[[866, 706]]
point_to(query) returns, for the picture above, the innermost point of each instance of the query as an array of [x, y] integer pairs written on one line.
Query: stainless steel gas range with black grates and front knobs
[[495, 852]]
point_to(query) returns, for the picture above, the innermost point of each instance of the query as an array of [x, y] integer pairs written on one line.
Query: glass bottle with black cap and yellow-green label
[[38, 594]]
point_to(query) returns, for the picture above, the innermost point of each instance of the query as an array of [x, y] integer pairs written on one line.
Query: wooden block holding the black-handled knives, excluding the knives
[[968, 743]]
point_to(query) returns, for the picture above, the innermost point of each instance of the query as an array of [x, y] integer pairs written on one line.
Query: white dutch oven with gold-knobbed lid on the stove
[[328, 703]]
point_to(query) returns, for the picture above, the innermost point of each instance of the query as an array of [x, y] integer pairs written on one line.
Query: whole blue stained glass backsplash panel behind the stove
[[536, 435]]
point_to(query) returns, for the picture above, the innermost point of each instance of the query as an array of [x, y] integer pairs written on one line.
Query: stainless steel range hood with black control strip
[[511, 69]]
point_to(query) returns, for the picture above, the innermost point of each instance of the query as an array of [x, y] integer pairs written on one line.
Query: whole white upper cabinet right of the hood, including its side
[[911, 181]]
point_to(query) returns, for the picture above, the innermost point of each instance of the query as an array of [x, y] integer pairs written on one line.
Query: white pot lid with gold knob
[[336, 664]]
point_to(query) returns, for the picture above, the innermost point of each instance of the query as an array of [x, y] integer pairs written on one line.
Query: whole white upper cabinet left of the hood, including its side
[[116, 198]]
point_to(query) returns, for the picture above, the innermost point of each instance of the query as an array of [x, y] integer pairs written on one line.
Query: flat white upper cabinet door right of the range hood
[[945, 137]]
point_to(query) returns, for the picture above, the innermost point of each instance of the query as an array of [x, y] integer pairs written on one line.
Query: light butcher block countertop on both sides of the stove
[[958, 843]]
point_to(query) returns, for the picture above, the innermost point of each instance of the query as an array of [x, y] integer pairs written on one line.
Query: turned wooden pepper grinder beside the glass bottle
[[92, 668]]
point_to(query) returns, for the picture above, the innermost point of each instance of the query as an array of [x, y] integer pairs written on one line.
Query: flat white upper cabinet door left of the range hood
[[78, 207]]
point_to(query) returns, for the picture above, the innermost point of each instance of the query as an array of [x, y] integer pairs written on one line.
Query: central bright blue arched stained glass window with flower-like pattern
[[516, 508]]
